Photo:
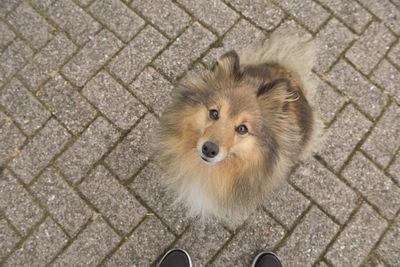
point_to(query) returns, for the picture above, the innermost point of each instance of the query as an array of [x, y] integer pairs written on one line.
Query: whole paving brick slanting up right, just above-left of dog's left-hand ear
[[186, 49]]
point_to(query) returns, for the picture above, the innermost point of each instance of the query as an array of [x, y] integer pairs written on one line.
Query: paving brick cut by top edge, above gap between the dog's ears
[[263, 13]]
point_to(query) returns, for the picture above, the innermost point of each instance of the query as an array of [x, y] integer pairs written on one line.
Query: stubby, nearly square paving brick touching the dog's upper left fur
[[152, 89]]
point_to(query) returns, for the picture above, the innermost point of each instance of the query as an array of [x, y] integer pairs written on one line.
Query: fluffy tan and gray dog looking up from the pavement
[[235, 129]]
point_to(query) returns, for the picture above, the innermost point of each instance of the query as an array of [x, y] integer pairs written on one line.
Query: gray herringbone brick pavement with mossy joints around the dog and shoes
[[83, 83]]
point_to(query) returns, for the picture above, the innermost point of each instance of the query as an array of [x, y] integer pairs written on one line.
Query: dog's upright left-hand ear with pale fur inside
[[228, 64]]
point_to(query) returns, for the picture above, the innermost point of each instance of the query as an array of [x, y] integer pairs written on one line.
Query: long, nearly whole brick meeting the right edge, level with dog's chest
[[373, 184]]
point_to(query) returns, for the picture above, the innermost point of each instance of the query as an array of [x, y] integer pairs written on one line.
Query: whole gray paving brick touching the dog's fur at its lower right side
[[326, 189]]
